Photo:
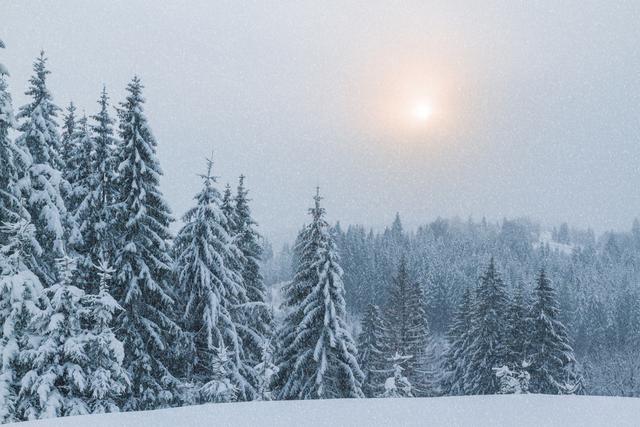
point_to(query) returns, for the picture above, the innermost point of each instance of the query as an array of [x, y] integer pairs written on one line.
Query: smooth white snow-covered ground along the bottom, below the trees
[[477, 411]]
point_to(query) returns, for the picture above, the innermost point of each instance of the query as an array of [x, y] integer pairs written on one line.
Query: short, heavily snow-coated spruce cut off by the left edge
[[22, 299]]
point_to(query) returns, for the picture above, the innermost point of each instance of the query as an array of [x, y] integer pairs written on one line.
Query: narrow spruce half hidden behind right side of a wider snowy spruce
[[259, 315]]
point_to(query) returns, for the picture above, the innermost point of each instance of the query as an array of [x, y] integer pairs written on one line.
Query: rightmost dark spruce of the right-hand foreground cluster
[[552, 359]]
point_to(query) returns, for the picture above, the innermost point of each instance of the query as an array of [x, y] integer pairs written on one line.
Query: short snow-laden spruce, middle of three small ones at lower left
[[58, 372]]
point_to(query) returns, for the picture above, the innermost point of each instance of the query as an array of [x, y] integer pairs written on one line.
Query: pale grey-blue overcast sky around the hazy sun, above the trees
[[536, 105]]
